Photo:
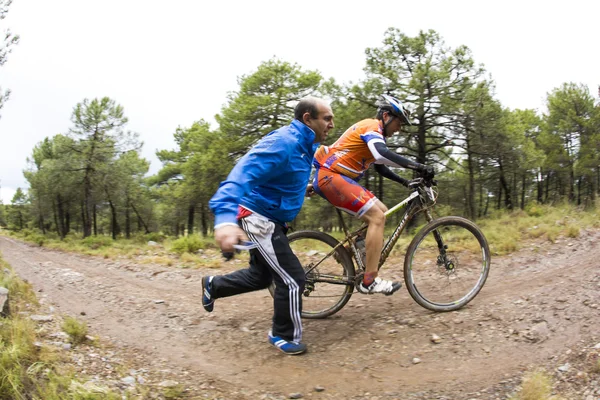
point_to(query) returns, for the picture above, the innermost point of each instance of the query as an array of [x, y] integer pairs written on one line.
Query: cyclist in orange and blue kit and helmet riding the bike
[[340, 165]]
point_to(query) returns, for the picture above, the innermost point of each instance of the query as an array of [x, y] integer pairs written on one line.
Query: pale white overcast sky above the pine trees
[[170, 63]]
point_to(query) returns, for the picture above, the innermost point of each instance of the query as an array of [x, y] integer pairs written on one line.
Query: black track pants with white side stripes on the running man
[[273, 260]]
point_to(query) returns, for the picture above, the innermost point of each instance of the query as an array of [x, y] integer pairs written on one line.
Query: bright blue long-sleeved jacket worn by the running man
[[271, 178]]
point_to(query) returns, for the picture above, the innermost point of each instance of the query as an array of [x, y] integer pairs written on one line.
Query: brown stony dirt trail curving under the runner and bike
[[536, 303]]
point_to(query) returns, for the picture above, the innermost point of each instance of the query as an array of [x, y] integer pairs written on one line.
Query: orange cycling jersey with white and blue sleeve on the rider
[[350, 154]]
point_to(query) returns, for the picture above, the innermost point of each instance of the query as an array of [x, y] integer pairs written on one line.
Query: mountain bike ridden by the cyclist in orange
[[448, 255]]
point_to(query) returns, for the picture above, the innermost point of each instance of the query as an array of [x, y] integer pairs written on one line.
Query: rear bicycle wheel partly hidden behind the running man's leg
[[331, 283]]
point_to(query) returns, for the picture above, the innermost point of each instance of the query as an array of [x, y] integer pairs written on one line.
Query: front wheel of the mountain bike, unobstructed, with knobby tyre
[[447, 264]]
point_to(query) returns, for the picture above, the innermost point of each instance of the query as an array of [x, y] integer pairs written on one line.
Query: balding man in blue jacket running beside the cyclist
[[263, 192]]
